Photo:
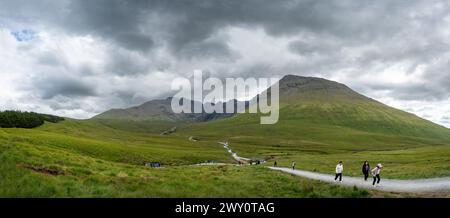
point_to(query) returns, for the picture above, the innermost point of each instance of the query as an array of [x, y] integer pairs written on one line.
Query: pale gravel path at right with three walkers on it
[[389, 185]]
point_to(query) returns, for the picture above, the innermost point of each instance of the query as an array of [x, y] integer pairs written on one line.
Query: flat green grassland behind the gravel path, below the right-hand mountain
[[313, 149]]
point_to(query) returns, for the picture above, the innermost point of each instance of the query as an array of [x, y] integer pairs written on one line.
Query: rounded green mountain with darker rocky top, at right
[[319, 101]]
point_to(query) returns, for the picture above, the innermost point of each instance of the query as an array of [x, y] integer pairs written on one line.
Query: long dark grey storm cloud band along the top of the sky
[[185, 25]]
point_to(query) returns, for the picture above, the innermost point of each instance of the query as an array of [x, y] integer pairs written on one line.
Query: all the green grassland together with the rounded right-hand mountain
[[321, 122]]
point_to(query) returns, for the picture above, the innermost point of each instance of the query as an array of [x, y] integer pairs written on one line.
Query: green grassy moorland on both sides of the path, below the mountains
[[95, 160]]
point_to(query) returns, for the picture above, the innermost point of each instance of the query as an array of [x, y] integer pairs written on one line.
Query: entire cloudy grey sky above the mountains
[[78, 58]]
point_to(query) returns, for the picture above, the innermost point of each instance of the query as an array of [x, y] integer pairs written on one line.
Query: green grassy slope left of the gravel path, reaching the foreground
[[86, 159]]
